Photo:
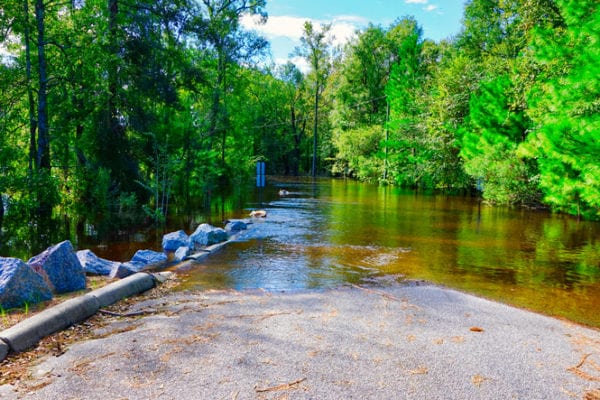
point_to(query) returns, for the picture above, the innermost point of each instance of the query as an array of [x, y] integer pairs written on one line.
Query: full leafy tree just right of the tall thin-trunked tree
[[359, 111]]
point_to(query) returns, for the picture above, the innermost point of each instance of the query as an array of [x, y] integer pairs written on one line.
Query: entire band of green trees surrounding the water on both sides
[[161, 105]]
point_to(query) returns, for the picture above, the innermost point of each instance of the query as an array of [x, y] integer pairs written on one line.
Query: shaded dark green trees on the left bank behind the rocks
[[132, 116]]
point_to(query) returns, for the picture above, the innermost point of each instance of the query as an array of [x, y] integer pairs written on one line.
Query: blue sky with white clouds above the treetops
[[439, 19]]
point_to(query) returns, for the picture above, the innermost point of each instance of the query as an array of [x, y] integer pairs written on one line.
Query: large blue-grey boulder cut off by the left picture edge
[[20, 284]]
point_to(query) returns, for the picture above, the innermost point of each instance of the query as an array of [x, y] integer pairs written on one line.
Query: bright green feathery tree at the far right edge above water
[[566, 109]]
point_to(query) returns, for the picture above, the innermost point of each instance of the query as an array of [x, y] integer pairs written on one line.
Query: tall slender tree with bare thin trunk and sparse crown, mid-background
[[314, 48]]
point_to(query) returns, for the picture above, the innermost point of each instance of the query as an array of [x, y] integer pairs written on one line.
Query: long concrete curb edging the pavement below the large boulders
[[29, 332]]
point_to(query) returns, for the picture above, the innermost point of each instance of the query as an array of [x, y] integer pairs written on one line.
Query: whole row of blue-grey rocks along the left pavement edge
[[59, 269]]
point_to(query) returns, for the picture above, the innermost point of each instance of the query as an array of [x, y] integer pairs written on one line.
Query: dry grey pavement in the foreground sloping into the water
[[415, 341]]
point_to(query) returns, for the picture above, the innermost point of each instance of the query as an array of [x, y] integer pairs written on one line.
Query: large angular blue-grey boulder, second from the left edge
[[60, 267]]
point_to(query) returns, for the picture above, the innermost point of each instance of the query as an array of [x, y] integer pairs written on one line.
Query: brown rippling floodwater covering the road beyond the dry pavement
[[326, 233]]
